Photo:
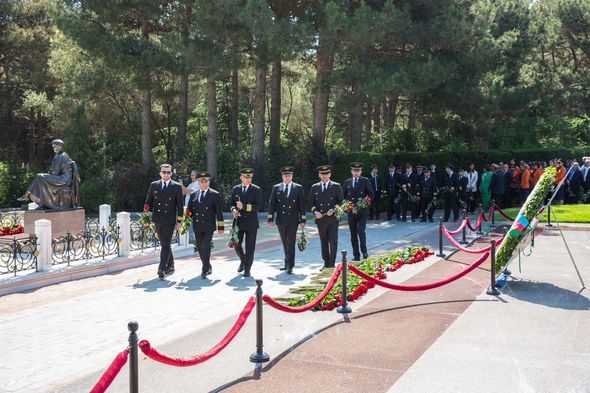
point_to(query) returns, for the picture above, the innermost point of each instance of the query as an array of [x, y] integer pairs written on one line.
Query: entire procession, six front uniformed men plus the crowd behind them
[[414, 191]]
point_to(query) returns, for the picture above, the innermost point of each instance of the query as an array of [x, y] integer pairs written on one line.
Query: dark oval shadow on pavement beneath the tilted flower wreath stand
[[547, 294]]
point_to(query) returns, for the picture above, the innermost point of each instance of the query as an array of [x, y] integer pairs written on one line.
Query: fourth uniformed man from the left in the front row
[[287, 201]]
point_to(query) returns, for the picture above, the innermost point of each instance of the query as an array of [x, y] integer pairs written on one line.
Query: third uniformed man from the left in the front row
[[246, 199]]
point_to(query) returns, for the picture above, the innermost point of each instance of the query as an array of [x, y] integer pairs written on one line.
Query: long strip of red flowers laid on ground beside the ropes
[[357, 287]]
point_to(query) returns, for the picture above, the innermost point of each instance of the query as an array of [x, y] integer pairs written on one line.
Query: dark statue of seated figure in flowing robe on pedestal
[[57, 189]]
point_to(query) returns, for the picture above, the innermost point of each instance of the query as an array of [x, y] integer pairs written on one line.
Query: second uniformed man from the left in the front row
[[206, 209]]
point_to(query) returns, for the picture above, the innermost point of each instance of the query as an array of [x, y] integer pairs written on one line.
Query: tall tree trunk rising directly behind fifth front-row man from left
[[324, 65]]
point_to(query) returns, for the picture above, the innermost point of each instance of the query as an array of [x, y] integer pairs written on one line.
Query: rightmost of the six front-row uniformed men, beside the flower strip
[[355, 189]]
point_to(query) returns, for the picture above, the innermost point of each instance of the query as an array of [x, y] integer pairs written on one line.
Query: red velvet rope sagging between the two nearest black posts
[[158, 356]]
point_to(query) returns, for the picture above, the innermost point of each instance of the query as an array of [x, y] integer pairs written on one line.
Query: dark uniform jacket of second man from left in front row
[[207, 214]]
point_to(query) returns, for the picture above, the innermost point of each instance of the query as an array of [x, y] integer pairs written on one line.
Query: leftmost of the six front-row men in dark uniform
[[165, 201]]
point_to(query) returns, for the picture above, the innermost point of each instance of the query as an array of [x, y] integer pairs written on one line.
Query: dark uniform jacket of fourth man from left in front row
[[290, 210]]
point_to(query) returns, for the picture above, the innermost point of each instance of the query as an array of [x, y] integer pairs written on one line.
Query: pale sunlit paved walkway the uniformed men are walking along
[[56, 335]]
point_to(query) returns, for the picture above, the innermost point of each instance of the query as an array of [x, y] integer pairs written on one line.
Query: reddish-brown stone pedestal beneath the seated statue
[[62, 221]]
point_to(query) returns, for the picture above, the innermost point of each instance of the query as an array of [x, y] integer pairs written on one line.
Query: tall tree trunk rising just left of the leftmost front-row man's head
[[147, 157]]
